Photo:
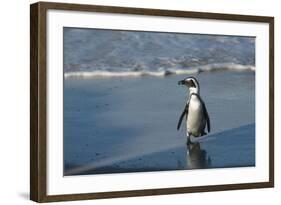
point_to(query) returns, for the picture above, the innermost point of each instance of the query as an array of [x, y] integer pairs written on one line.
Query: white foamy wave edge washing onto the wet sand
[[161, 72]]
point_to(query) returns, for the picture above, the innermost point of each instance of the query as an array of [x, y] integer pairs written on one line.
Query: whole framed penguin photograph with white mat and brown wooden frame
[[134, 102]]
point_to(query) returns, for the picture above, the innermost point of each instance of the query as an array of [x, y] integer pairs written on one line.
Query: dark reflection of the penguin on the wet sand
[[196, 157]]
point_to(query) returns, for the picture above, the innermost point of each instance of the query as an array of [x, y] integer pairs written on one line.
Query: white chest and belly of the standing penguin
[[195, 118]]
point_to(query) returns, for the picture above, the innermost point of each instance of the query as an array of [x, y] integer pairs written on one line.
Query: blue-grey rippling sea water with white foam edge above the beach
[[97, 52]]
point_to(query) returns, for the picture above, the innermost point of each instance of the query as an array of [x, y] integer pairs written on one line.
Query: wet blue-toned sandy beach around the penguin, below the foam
[[117, 125]]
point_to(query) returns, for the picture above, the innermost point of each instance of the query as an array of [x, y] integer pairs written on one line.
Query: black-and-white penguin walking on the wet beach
[[195, 111]]
